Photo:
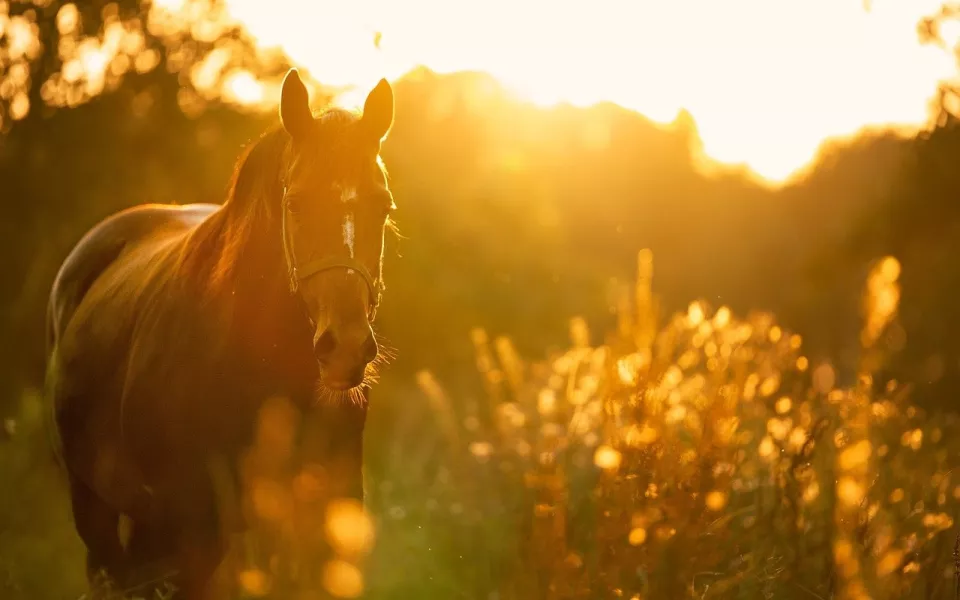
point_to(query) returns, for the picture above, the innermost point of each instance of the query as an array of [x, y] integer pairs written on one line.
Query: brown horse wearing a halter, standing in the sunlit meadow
[[170, 326]]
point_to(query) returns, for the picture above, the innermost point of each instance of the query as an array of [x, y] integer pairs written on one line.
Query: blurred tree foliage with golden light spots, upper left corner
[[56, 54]]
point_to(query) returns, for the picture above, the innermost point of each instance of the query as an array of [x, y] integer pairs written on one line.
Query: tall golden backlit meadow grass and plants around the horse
[[698, 455]]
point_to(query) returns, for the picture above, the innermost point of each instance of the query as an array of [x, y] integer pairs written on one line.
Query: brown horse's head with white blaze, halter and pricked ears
[[335, 211]]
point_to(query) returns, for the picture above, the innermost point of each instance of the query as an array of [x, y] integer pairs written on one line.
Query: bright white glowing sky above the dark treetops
[[767, 81]]
